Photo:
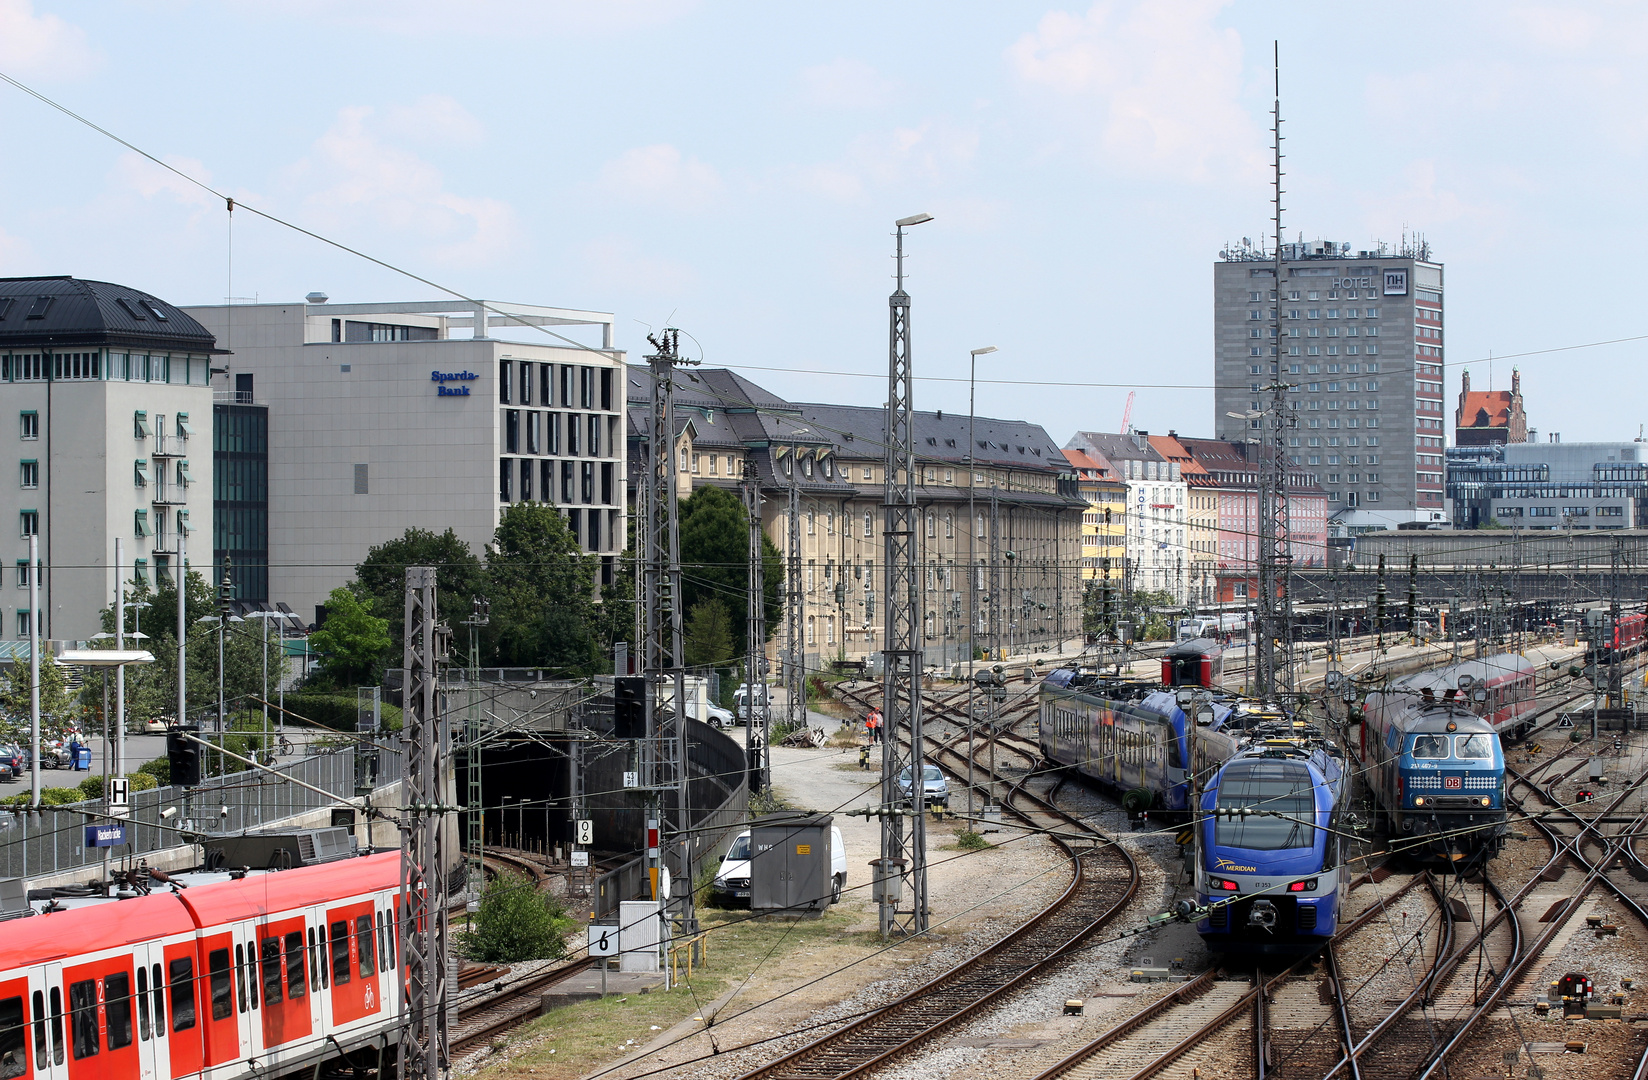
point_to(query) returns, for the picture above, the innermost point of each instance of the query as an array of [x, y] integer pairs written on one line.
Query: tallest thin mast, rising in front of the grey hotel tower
[[1275, 669]]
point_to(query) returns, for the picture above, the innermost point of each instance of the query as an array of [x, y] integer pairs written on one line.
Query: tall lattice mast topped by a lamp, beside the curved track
[[902, 855]]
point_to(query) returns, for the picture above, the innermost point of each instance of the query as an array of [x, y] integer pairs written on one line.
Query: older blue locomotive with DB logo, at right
[[1436, 768]]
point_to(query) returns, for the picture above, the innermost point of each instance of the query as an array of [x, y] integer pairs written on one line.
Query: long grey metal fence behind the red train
[[55, 840]]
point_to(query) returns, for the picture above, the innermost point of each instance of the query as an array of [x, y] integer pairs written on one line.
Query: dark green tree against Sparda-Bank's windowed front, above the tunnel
[[541, 588]]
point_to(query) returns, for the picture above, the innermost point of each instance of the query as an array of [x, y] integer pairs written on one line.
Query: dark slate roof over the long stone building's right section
[[861, 431]]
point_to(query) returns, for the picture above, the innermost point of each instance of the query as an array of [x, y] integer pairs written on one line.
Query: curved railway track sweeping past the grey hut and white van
[[1103, 883]]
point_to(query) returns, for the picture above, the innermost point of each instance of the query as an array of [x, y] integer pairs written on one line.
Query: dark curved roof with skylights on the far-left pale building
[[83, 312]]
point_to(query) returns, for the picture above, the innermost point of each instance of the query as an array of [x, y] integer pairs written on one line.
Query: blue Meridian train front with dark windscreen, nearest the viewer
[[1266, 857]]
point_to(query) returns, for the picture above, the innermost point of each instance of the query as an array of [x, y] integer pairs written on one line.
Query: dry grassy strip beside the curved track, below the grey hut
[[591, 1035]]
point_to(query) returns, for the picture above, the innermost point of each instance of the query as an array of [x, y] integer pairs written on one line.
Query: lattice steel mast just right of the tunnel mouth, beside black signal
[[665, 751]]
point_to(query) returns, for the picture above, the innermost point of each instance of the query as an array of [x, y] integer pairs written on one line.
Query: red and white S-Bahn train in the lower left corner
[[236, 975]]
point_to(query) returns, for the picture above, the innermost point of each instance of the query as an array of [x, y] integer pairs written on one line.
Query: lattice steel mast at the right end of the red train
[[428, 748]]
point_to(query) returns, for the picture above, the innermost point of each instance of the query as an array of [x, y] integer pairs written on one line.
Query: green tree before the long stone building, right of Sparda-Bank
[[716, 556]]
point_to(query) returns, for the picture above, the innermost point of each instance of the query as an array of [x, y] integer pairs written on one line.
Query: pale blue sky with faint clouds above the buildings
[[736, 171]]
